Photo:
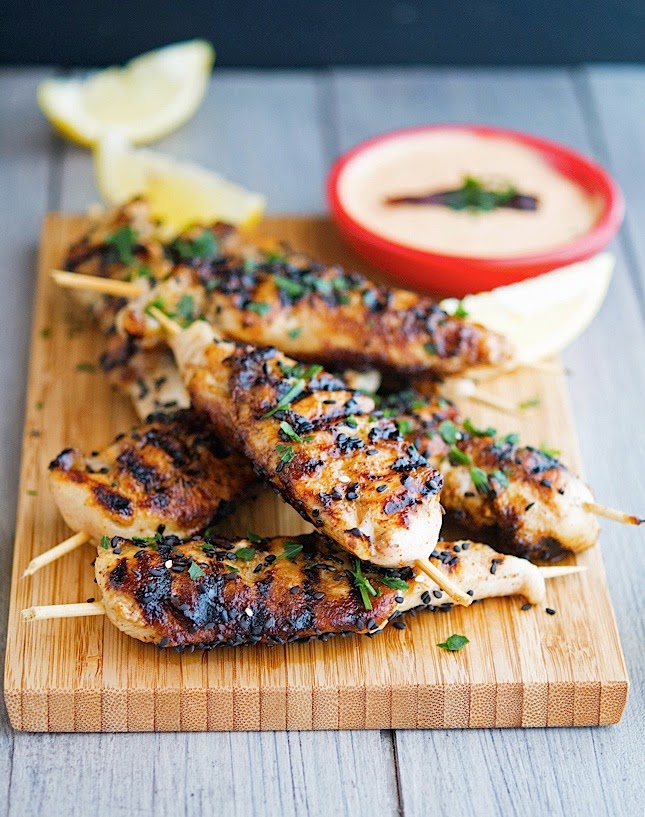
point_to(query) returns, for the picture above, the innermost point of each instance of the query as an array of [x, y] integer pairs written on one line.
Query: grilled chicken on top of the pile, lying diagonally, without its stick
[[351, 475]]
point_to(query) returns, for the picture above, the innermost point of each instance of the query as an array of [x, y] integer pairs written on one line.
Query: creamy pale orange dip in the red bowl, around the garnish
[[420, 164]]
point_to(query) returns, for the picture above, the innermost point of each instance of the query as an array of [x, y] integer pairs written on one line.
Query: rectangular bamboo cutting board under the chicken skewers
[[521, 668]]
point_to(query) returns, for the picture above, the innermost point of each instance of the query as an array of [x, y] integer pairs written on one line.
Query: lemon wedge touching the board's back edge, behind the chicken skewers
[[179, 193]]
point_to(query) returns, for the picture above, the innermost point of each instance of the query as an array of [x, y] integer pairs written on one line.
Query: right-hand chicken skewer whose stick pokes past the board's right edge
[[525, 498]]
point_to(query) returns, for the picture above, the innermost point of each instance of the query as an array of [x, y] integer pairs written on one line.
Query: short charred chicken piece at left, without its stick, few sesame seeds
[[172, 471]]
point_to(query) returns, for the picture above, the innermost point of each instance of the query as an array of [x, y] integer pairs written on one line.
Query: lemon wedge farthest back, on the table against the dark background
[[148, 98]]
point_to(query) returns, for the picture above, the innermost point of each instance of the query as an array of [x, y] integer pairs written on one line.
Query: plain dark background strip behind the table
[[315, 33]]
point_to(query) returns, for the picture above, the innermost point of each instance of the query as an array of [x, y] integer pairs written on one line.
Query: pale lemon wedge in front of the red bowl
[[541, 316]]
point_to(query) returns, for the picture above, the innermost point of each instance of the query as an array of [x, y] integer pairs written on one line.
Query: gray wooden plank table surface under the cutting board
[[277, 132]]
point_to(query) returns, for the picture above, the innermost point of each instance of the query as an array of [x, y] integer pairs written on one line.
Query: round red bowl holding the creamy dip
[[460, 275]]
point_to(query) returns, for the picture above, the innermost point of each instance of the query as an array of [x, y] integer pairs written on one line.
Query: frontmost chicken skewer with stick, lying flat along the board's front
[[220, 592]]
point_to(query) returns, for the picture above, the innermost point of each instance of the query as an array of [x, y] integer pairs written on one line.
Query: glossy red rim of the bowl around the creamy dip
[[584, 246]]
